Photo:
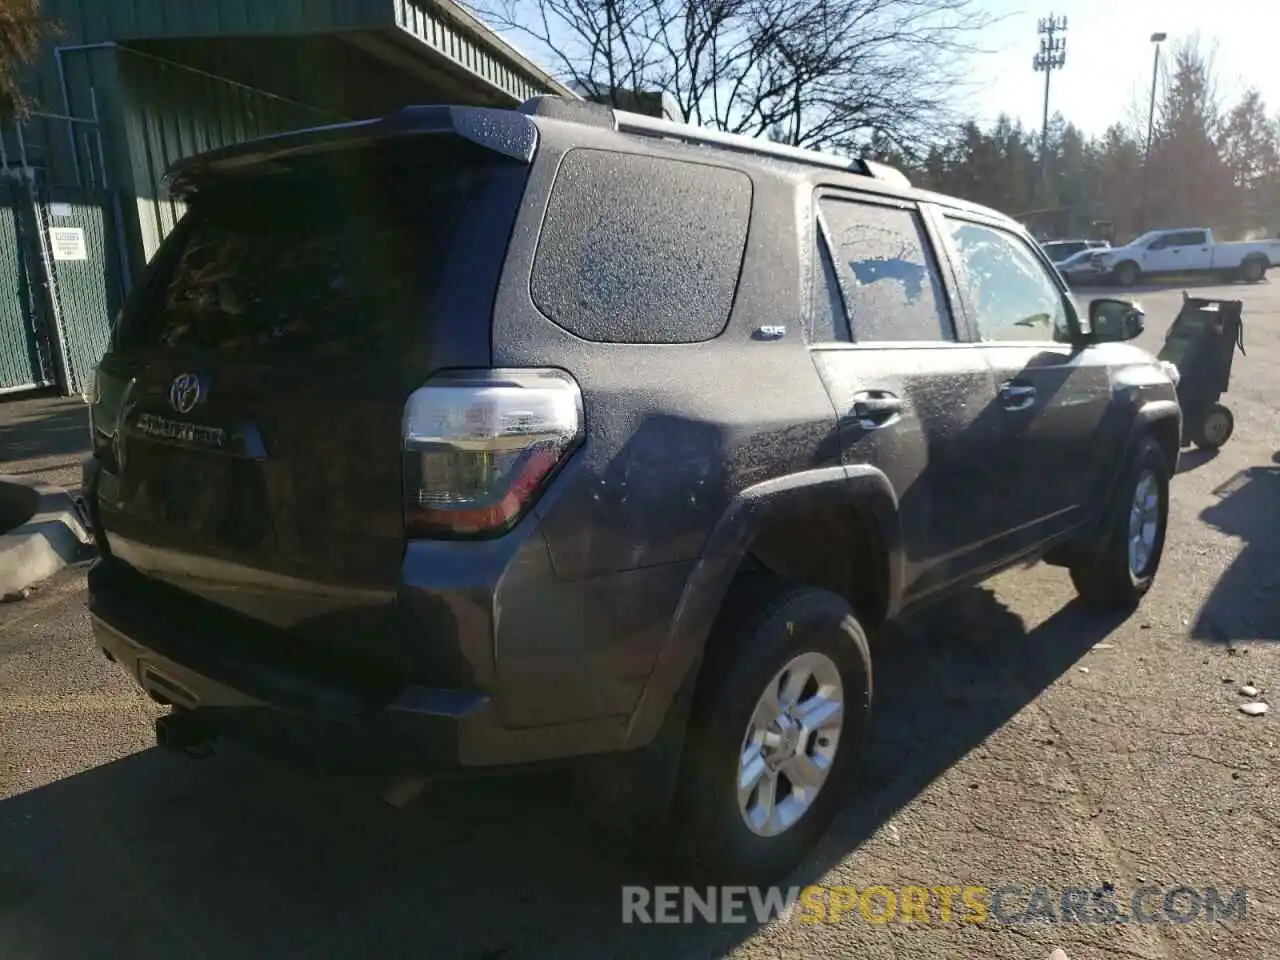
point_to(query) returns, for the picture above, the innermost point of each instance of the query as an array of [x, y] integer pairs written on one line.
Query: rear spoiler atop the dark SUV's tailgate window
[[505, 132]]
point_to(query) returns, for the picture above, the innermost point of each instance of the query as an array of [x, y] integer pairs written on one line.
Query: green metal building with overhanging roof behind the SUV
[[130, 86]]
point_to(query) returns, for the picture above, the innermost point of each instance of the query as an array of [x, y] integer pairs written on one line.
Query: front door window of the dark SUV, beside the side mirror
[[1011, 292]]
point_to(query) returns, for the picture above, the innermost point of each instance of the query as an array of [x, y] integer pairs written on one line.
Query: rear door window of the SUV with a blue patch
[[888, 276]]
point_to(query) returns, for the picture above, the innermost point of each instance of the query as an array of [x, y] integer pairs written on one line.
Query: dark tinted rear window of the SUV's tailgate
[[340, 257]]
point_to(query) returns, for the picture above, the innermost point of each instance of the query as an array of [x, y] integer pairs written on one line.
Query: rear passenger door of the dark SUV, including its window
[[911, 400]]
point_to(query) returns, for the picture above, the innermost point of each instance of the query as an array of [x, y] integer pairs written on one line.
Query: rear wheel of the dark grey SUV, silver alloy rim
[[770, 627]]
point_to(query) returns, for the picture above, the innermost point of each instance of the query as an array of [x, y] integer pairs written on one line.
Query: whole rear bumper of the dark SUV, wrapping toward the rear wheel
[[479, 656]]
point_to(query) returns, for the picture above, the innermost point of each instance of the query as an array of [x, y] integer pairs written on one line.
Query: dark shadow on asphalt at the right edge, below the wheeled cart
[[1246, 602]]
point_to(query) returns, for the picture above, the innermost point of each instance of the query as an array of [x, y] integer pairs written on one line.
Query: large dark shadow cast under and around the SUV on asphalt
[[157, 856]]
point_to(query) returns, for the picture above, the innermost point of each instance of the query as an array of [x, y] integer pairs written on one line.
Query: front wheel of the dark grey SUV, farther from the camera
[[1112, 577]]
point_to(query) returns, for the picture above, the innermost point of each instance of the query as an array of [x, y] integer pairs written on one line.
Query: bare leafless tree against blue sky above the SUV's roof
[[817, 74]]
